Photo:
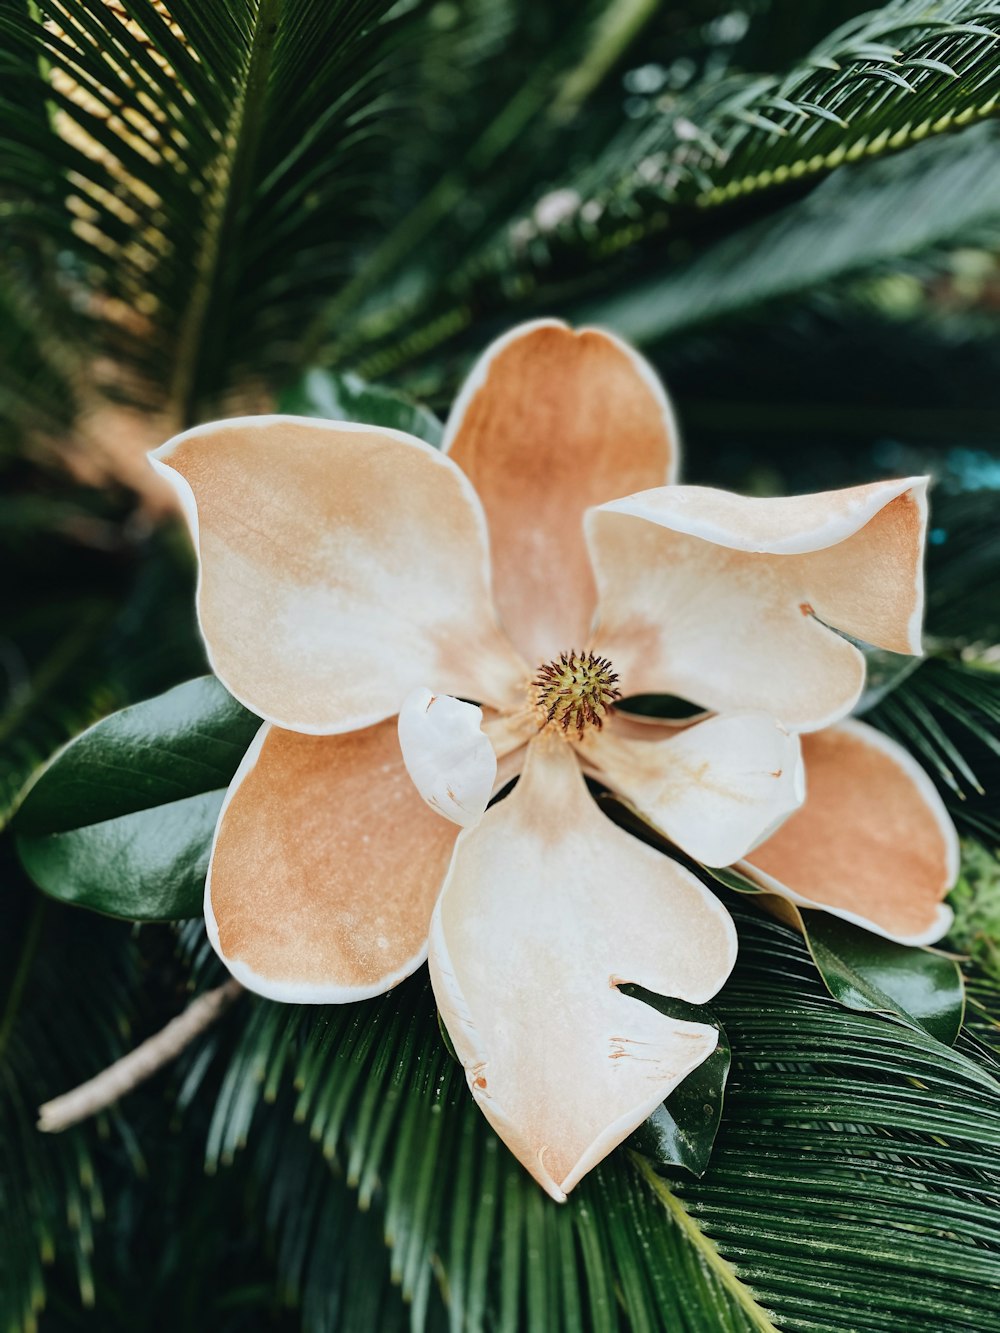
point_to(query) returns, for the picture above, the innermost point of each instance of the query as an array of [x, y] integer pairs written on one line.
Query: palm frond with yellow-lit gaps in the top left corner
[[199, 171]]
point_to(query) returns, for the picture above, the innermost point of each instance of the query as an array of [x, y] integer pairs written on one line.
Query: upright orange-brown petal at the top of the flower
[[550, 423]]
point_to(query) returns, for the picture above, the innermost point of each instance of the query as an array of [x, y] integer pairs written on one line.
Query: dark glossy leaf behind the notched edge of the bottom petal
[[682, 1132]]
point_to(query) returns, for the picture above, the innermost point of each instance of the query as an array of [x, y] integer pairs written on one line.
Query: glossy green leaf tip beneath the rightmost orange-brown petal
[[866, 972]]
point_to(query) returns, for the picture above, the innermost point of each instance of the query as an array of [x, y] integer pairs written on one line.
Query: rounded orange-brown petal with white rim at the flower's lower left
[[326, 867]]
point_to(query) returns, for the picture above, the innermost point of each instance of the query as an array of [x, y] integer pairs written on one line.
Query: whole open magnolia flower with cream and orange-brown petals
[[414, 623]]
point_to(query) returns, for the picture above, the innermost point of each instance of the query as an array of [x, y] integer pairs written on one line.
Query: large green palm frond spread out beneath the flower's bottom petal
[[819, 1100]]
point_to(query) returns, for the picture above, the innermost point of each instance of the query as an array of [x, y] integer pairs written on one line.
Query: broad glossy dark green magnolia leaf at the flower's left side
[[122, 819]]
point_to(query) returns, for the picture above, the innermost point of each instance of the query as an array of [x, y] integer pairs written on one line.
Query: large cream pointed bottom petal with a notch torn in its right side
[[546, 911]]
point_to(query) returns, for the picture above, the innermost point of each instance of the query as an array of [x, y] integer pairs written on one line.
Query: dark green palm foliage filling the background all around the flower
[[795, 210]]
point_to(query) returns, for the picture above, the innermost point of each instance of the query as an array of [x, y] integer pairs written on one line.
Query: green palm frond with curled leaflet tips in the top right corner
[[879, 83]]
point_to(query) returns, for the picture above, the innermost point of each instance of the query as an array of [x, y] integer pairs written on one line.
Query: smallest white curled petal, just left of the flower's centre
[[447, 755]]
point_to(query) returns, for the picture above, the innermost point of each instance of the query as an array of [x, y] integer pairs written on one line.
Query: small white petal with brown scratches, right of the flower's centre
[[717, 788]]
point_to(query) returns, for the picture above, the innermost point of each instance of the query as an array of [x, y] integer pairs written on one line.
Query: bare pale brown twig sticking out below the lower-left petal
[[127, 1074]]
